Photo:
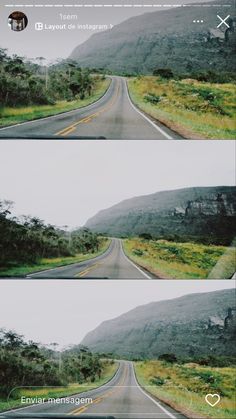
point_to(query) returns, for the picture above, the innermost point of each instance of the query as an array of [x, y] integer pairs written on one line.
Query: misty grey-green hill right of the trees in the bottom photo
[[192, 325]]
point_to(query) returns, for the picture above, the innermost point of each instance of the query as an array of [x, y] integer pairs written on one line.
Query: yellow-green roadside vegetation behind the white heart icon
[[184, 386]]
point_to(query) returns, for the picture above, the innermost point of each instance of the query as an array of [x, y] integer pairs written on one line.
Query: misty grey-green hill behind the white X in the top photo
[[161, 39]]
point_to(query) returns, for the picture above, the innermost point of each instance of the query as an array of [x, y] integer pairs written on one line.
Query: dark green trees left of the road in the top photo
[[27, 82]]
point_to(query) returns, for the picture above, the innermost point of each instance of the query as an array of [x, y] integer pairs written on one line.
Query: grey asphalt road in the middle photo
[[112, 264]]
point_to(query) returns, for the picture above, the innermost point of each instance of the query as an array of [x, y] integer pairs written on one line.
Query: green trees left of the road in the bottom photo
[[25, 363]]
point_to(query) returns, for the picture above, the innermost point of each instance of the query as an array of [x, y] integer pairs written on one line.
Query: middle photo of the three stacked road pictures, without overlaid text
[[120, 210]]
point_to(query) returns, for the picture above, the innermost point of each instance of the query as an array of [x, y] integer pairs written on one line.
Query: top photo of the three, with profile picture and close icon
[[117, 70]]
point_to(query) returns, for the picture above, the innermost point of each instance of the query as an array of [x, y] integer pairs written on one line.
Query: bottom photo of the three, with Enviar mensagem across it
[[120, 349]]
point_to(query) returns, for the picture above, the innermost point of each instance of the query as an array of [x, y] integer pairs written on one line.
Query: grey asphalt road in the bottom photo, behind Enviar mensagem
[[121, 398]]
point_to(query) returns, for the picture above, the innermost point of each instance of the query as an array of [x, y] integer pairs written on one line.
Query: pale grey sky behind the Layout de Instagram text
[[60, 43]]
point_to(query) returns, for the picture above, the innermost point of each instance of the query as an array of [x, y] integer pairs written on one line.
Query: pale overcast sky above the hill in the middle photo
[[67, 182]]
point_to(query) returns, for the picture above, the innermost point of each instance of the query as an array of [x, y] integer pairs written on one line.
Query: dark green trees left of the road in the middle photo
[[28, 239]]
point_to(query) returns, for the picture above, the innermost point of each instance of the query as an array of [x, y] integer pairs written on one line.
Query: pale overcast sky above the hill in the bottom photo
[[65, 311]]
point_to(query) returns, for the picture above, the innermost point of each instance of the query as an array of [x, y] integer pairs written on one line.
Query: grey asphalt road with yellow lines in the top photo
[[111, 117]]
